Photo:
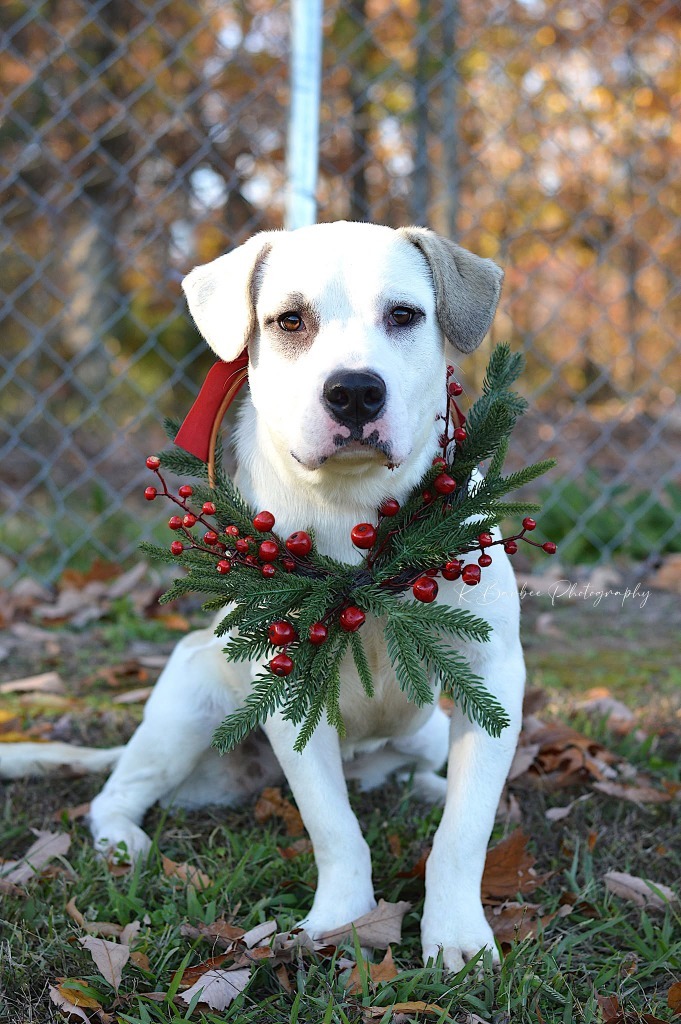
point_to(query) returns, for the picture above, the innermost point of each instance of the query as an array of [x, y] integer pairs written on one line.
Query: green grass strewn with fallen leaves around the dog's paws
[[605, 947]]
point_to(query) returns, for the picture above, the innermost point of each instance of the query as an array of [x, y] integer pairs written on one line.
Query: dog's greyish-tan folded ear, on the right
[[467, 287]]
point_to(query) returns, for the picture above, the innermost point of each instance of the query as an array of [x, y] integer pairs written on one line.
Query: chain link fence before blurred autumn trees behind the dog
[[141, 139]]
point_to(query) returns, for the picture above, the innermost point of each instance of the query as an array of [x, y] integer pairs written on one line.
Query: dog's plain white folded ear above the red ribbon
[[222, 296]]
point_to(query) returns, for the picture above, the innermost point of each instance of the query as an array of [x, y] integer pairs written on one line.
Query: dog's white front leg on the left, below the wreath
[[345, 888]]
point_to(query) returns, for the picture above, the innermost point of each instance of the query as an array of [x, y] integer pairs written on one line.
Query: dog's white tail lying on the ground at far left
[[29, 760]]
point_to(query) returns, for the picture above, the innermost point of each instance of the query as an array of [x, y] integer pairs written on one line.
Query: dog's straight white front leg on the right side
[[453, 916]]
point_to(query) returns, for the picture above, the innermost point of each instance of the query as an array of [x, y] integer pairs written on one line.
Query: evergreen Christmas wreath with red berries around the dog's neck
[[300, 613]]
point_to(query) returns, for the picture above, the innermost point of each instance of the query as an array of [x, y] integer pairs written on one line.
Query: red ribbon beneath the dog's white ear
[[215, 399]]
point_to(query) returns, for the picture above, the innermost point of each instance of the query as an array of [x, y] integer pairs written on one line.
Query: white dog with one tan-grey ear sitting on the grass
[[346, 326]]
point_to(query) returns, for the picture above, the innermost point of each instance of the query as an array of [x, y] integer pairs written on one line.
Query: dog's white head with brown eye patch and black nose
[[346, 325]]
